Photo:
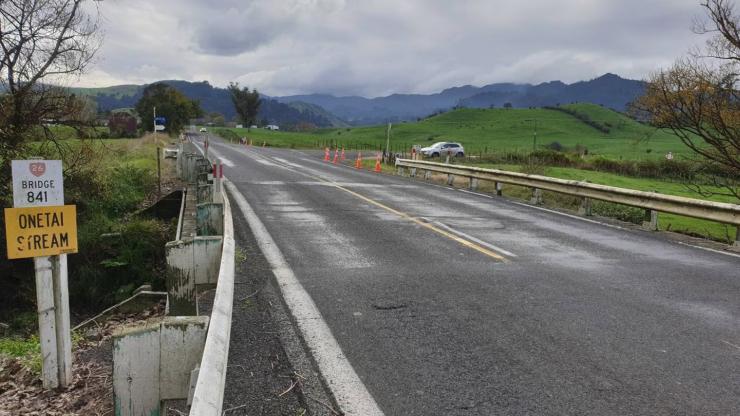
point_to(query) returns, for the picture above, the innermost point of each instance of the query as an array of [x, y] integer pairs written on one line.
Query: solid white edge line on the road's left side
[[350, 393]]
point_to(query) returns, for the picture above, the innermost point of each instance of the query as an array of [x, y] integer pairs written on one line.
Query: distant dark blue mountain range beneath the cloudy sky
[[323, 110]]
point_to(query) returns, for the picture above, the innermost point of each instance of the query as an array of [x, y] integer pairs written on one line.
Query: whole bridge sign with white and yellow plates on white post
[[42, 227]]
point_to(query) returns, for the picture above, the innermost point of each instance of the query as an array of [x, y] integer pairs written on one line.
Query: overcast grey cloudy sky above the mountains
[[379, 47]]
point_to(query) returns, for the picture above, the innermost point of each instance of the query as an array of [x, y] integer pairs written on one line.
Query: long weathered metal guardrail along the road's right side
[[690, 207]]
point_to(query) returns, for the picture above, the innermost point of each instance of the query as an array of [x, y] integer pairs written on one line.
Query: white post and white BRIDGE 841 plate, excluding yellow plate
[[39, 183]]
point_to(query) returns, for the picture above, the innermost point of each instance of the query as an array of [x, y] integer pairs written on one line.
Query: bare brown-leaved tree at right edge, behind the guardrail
[[697, 99]]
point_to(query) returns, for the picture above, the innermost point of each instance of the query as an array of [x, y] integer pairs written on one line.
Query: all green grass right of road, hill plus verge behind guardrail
[[491, 131]]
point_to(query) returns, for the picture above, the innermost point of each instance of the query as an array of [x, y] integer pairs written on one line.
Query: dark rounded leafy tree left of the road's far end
[[170, 103]]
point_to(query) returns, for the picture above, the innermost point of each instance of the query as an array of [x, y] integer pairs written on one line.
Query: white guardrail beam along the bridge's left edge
[[209, 389]]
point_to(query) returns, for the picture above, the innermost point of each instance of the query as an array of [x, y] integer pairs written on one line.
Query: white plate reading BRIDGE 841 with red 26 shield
[[37, 183]]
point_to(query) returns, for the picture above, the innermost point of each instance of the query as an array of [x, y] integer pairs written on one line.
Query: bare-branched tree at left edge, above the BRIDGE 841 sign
[[41, 42]]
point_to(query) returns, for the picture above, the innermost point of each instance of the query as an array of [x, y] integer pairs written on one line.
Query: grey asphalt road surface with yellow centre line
[[446, 302]]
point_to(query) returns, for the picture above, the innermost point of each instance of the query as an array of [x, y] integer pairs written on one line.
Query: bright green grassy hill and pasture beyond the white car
[[496, 130]]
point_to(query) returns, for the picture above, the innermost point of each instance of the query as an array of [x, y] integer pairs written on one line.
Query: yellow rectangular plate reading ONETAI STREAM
[[41, 231]]
